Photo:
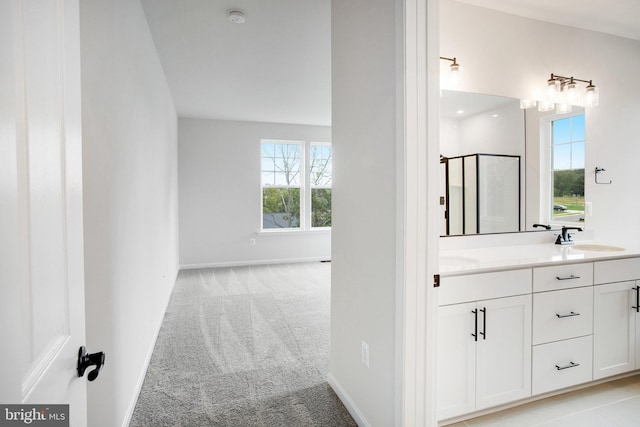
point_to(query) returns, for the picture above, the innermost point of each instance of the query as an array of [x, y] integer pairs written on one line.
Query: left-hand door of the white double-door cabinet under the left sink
[[456, 360]]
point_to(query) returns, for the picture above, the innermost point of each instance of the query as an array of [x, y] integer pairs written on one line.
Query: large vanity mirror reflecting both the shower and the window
[[504, 169]]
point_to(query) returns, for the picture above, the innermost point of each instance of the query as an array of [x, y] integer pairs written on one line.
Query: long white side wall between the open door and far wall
[[130, 200]]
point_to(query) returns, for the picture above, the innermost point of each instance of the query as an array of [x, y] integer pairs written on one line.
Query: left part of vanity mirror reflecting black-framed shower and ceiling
[[484, 137]]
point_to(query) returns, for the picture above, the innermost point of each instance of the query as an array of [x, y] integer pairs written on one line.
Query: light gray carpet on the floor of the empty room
[[244, 346]]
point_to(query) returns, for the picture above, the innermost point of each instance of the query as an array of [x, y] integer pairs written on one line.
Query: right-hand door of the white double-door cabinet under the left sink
[[504, 351]]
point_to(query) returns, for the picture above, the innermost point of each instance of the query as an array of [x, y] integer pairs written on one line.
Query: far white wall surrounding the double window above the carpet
[[220, 211]]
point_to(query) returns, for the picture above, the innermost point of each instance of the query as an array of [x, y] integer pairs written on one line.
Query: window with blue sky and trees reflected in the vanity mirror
[[567, 168]]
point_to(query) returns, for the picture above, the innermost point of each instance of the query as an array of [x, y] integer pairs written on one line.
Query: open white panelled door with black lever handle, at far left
[[41, 250]]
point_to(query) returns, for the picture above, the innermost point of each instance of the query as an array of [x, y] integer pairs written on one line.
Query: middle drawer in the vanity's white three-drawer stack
[[559, 315]]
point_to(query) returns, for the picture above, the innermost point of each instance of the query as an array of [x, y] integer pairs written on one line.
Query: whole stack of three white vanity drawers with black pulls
[[562, 326]]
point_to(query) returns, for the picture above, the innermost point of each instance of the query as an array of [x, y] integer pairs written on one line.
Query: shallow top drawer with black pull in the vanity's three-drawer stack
[[562, 277]]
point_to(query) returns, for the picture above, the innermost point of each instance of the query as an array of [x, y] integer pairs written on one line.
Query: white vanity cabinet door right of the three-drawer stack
[[614, 329]]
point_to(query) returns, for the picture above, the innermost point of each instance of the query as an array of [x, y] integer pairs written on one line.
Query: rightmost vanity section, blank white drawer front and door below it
[[616, 317]]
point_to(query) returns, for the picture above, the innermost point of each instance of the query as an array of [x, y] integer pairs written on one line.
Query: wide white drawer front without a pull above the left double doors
[[475, 287]]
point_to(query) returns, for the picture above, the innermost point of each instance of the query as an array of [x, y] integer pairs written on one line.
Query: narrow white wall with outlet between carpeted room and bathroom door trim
[[365, 196]]
